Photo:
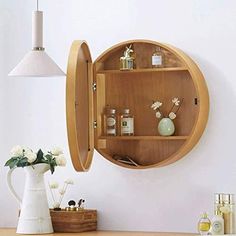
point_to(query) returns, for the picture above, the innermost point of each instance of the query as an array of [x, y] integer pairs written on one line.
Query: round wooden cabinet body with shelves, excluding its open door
[[136, 89]]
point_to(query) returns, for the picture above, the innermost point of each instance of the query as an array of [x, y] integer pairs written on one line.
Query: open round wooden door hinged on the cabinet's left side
[[79, 106]]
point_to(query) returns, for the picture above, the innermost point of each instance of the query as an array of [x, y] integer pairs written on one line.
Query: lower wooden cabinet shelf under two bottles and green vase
[[144, 137]]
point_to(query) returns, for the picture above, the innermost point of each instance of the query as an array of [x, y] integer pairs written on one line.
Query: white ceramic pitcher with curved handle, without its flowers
[[34, 216]]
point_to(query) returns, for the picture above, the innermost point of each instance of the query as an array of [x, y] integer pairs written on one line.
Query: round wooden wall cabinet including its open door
[[92, 87]]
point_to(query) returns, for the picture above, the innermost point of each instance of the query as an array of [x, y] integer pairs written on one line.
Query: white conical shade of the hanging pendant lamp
[[36, 64]]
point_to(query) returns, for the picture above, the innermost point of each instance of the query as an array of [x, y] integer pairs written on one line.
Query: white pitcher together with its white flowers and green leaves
[[34, 206]]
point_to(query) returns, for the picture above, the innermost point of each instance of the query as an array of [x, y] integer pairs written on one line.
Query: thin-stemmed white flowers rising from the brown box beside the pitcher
[[58, 200]]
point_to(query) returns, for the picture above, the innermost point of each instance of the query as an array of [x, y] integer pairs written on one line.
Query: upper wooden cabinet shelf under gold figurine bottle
[[167, 69]]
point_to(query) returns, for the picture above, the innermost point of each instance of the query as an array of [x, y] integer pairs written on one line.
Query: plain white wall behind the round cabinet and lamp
[[32, 111]]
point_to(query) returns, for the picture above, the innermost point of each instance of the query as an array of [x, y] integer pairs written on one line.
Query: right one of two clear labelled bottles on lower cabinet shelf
[[126, 123]]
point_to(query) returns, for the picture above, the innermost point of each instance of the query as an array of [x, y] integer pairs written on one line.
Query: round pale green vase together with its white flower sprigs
[[166, 126]]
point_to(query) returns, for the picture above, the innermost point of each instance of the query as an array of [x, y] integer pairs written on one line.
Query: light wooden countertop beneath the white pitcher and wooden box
[[12, 232]]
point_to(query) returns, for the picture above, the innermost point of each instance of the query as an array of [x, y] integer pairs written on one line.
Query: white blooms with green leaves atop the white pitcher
[[23, 156]]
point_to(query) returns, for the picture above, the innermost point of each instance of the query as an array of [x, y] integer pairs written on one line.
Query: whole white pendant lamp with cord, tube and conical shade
[[37, 63]]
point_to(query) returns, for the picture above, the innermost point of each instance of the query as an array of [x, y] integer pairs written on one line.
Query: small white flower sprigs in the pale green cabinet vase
[[176, 103]]
